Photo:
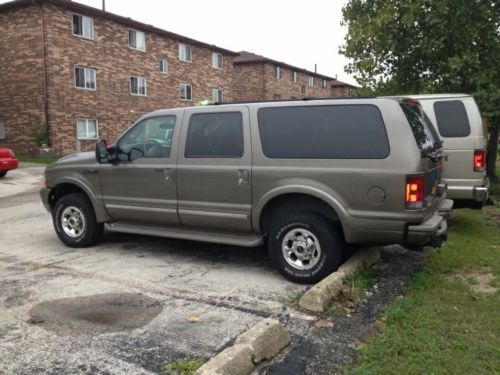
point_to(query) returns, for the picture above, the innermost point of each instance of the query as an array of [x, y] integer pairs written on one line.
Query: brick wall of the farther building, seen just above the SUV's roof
[[255, 81]]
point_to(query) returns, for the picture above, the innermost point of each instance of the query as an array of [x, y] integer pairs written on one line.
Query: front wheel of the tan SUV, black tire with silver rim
[[84, 235]]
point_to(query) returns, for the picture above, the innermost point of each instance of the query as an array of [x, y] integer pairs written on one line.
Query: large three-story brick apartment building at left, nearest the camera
[[89, 73]]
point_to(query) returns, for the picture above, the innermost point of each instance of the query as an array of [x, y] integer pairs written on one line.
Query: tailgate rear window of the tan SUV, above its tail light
[[424, 136]]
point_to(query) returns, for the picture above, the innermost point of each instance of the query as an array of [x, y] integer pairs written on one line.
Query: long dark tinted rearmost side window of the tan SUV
[[323, 132]]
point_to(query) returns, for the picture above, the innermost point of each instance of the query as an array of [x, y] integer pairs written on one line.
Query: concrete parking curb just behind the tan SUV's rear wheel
[[317, 298]]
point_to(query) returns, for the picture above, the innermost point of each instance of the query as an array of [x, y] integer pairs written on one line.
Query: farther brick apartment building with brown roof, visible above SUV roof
[[257, 77]]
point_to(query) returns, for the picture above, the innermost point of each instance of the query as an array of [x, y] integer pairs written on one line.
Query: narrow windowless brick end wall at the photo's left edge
[[21, 76]]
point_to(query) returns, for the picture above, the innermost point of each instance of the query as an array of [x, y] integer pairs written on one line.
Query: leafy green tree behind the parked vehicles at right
[[425, 46]]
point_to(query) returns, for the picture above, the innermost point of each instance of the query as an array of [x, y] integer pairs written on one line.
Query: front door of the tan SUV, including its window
[[141, 187]]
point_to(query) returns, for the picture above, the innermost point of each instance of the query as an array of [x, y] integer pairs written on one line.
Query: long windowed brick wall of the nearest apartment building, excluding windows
[[111, 103]]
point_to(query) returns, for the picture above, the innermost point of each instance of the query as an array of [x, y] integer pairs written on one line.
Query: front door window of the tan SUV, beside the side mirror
[[150, 138]]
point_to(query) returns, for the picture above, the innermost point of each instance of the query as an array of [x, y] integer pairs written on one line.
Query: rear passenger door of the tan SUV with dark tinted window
[[214, 169]]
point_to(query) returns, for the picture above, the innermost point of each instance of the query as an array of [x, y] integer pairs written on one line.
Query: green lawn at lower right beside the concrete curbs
[[444, 325]]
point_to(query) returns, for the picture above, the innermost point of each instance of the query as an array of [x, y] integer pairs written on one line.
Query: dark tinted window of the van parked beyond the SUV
[[452, 118]]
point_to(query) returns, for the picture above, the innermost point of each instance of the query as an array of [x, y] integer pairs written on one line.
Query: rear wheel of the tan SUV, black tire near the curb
[[307, 225]]
